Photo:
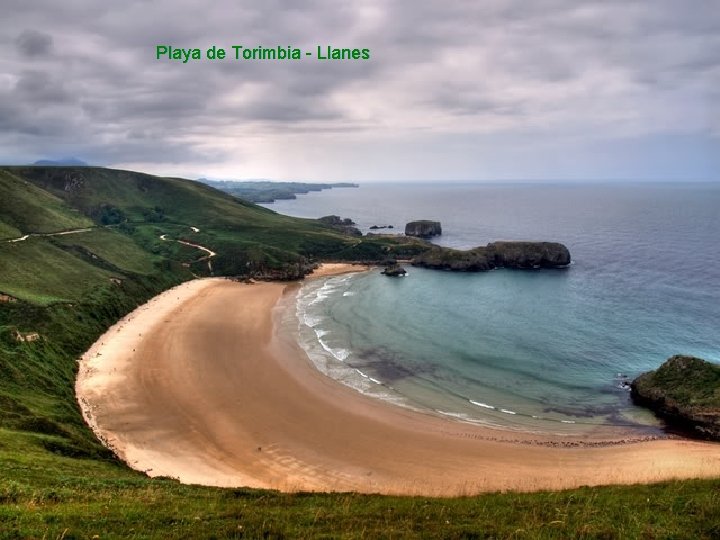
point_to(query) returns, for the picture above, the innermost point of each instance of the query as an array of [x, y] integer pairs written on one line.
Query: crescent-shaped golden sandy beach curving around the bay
[[197, 385]]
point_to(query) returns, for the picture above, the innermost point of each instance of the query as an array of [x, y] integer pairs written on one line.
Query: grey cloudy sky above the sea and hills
[[469, 89]]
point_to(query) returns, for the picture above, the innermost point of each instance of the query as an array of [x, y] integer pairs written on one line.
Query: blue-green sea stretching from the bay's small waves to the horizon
[[536, 350]]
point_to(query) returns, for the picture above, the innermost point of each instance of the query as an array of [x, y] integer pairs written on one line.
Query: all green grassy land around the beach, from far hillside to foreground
[[57, 481]]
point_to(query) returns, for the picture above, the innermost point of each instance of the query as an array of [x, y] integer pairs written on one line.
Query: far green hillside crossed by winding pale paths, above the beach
[[129, 212]]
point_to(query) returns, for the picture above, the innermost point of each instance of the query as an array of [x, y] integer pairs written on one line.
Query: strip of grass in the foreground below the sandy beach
[[43, 495]]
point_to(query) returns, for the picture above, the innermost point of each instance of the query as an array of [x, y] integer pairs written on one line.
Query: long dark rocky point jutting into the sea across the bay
[[524, 255]]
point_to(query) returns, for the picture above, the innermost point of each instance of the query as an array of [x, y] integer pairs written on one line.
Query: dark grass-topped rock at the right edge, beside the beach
[[685, 392]]
